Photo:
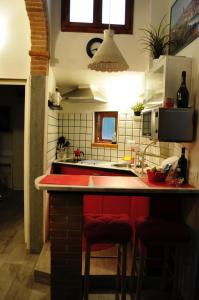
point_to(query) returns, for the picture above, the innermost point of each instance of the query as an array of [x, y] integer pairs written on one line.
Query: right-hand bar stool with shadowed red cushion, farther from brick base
[[159, 232]]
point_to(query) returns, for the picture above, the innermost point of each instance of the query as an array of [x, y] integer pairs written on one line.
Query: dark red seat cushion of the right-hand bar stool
[[159, 230]]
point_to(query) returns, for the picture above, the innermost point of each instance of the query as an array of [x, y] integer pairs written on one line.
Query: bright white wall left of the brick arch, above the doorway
[[14, 39]]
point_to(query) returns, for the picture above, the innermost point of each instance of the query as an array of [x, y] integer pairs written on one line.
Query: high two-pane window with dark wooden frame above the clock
[[94, 15]]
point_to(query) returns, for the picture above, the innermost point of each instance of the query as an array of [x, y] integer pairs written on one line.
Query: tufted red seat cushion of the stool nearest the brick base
[[109, 228]]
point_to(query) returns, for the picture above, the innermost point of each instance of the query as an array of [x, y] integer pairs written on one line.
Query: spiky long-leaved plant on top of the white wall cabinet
[[156, 40]]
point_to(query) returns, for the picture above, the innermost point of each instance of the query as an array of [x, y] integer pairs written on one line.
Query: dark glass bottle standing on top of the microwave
[[183, 93]]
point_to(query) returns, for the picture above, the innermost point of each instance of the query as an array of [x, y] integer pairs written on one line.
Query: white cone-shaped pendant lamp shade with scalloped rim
[[108, 57]]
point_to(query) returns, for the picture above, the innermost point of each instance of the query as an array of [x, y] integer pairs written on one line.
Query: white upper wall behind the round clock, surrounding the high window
[[68, 49]]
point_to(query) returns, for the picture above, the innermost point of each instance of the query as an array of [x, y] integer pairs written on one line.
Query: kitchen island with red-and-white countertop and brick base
[[66, 211]]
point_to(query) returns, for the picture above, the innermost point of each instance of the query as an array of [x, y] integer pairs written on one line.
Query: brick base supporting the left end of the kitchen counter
[[66, 245]]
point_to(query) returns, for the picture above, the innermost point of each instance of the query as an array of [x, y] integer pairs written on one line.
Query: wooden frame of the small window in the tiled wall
[[98, 125]]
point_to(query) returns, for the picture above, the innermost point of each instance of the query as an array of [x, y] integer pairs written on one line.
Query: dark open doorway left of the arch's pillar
[[12, 104]]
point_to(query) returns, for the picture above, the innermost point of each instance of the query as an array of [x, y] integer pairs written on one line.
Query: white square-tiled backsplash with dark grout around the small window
[[78, 128]]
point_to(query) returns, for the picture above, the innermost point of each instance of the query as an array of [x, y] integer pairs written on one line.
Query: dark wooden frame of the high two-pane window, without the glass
[[97, 25]]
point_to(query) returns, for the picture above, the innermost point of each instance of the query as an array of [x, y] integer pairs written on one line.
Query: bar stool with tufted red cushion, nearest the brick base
[[111, 229]]
